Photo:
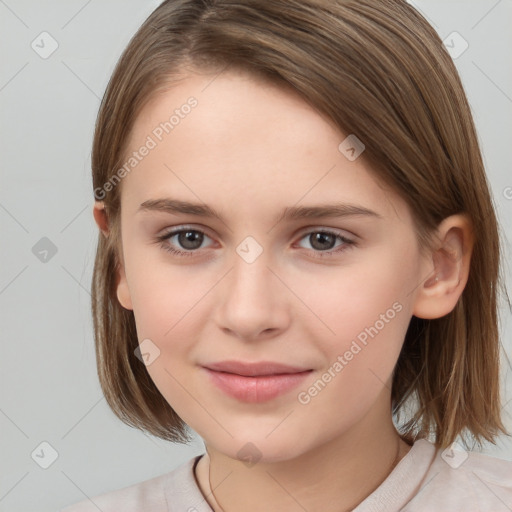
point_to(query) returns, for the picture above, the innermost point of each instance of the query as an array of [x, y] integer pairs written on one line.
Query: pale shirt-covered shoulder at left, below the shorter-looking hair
[[150, 495]]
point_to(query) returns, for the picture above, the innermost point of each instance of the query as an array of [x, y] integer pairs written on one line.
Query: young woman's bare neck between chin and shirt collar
[[332, 477]]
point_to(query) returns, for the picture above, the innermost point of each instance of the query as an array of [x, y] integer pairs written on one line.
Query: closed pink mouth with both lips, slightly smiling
[[255, 382]]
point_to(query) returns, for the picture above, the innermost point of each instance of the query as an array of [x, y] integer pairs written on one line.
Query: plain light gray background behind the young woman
[[49, 388]]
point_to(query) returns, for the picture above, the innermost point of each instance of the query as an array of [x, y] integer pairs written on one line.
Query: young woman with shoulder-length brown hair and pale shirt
[[299, 259]]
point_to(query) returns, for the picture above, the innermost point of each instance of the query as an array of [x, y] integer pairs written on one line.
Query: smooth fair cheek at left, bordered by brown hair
[[168, 305]]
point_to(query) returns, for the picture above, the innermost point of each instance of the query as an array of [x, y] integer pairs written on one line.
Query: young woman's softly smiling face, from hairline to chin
[[328, 296]]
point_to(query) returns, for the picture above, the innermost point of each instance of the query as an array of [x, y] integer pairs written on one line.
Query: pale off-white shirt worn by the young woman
[[425, 480]]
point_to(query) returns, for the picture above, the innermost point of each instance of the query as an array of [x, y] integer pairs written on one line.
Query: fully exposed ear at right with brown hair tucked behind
[[438, 295]]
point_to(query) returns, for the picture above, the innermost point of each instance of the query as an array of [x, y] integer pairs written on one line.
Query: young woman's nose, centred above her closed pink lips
[[252, 301]]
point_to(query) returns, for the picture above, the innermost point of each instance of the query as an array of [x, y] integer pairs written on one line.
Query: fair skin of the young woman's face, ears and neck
[[249, 150]]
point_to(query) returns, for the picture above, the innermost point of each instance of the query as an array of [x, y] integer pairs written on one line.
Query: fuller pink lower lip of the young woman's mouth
[[256, 389]]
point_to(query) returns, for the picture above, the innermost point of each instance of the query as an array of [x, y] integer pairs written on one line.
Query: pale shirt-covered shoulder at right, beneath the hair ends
[[461, 480]]
